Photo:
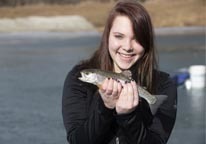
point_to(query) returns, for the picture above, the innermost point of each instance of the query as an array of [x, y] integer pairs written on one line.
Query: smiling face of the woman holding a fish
[[123, 47]]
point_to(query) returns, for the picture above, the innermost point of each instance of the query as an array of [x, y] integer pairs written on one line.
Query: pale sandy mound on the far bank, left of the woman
[[42, 23]]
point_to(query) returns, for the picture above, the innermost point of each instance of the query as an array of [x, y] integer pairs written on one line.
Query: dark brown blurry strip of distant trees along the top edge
[[14, 3]]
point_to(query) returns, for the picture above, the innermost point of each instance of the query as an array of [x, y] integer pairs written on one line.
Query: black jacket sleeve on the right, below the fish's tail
[[140, 127]]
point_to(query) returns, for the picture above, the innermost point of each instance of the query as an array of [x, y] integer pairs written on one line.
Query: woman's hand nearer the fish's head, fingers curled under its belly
[[110, 91]]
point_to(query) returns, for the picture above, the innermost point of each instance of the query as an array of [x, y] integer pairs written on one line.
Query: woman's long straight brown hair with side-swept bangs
[[143, 31]]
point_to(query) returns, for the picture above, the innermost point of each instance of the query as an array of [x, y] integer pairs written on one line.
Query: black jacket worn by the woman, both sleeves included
[[88, 121]]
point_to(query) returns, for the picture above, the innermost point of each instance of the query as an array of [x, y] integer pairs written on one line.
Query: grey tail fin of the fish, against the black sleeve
[[160, 100]]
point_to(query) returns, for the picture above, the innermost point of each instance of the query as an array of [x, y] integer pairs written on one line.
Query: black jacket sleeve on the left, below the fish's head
[[85, 122]]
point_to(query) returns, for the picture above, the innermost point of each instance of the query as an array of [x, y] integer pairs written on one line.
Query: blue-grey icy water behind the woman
[[33, 67]]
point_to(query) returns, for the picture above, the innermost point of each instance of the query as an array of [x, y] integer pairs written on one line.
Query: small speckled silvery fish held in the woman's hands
[[97, 76]]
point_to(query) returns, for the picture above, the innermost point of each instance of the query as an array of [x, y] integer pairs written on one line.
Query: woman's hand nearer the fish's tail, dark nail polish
[[128, 99]]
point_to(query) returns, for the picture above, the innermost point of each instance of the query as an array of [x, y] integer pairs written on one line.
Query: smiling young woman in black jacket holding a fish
[[115, 113]]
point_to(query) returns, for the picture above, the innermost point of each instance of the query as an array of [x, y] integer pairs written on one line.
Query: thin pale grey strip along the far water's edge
[[191, 30]]
